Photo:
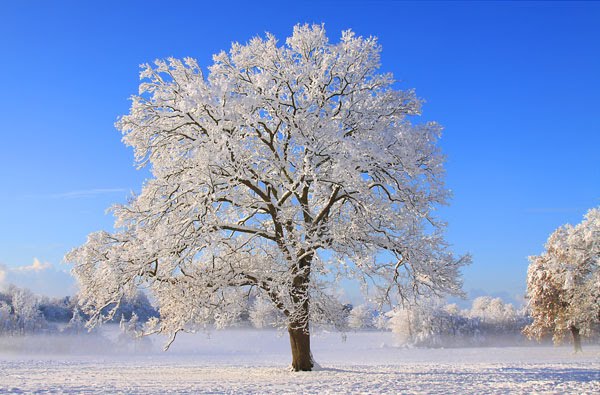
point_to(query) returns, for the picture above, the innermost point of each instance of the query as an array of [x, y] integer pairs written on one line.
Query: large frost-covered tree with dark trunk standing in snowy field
[[282, 170]]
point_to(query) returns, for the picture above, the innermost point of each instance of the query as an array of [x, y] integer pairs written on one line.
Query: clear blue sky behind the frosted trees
[[515, 85]]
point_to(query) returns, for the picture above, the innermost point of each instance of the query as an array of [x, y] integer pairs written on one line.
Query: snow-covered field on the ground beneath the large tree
[[253, 361]]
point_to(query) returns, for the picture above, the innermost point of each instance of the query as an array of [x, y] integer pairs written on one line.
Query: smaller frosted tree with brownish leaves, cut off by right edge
[[563, 283]]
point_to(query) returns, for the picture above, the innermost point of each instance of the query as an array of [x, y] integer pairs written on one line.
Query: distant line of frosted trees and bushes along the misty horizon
[[489, 321]]
